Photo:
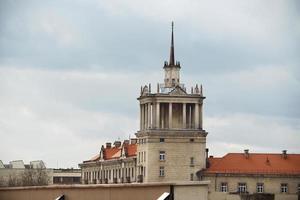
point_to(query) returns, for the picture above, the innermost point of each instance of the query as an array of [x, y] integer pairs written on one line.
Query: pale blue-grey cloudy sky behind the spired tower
[[70, 72]]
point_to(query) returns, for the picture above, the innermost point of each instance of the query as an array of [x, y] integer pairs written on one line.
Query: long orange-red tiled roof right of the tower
[[264, 163]]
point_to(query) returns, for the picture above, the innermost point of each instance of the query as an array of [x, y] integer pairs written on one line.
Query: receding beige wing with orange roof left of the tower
[[114, 164]]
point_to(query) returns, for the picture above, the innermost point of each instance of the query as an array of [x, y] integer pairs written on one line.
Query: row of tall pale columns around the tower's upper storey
[[160, 115]]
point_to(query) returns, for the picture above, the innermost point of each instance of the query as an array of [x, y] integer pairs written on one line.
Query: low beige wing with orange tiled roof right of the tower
[[253, 176]]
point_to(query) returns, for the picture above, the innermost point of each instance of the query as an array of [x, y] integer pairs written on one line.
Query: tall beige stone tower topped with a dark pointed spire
[[171, 139]]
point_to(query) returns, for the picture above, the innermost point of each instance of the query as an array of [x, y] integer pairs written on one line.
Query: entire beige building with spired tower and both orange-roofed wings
[[170, 147]]
